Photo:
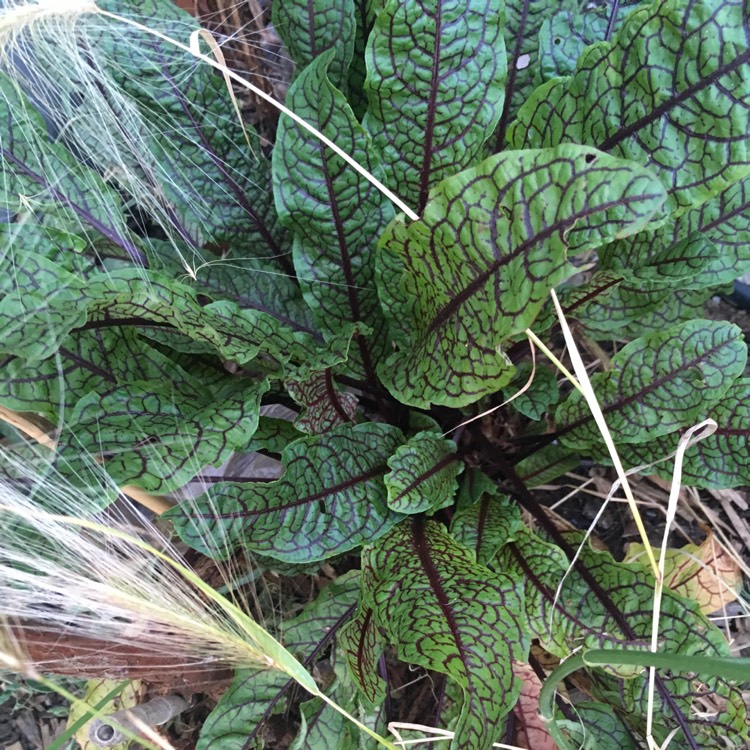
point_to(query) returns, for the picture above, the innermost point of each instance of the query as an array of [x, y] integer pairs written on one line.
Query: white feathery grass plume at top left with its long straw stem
[[124, 92]]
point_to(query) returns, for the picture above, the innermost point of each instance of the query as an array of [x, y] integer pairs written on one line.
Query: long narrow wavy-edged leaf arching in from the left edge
[[143, 298]]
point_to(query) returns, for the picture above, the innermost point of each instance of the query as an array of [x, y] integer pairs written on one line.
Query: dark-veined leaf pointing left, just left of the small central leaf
[[330, 499]]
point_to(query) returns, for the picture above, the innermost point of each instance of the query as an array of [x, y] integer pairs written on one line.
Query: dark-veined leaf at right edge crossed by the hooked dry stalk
[[720, 460]]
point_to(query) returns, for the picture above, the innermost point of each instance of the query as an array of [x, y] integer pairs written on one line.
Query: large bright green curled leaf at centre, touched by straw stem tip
[[500, 234]]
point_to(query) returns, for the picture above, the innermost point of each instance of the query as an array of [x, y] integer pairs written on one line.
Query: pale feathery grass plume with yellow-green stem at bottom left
[[108, 593]]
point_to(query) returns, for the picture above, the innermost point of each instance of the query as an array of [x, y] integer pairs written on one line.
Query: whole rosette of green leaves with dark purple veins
[[613, 165]]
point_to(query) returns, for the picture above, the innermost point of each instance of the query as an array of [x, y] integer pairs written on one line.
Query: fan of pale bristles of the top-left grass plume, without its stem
[[109, 95]]
